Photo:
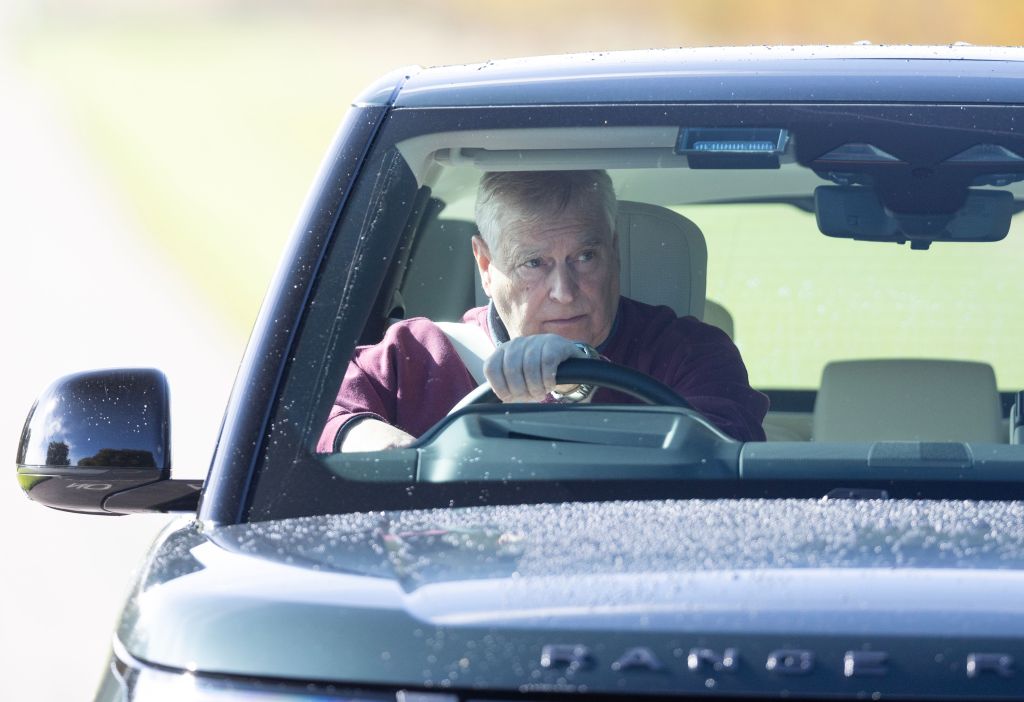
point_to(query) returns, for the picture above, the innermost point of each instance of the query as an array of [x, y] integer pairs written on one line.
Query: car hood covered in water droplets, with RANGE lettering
[[734, 596]]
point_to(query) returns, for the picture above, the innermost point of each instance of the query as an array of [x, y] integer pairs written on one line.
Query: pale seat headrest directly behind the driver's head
[[663, 259]]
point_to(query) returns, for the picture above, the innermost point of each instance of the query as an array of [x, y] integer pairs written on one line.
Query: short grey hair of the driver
[[533, 196]]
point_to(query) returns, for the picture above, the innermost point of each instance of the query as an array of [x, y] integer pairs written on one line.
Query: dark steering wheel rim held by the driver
[[593, 372]]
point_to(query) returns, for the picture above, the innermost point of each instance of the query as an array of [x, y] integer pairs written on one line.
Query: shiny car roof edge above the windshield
[[958, 74]]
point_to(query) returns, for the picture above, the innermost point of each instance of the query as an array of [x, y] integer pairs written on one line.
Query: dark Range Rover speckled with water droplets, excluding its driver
[[847, 216]]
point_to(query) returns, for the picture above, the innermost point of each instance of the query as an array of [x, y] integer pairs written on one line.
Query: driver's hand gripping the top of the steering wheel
[[524, 369]]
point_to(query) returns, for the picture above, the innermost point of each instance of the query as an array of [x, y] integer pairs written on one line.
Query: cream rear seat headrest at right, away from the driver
[[908, 401]]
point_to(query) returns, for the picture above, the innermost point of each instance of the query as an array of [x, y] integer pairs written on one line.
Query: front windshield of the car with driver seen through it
[[827, 291]]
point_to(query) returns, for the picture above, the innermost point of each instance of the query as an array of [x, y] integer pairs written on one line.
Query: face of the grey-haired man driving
[[557, 277]]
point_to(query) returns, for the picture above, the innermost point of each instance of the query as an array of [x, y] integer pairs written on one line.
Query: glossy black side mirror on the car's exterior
[[100, 443]]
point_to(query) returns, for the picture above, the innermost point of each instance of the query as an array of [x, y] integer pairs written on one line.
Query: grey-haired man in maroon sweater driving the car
[[548, 257]]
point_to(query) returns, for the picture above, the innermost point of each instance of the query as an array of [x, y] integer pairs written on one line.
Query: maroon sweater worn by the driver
[[415, 376]]
